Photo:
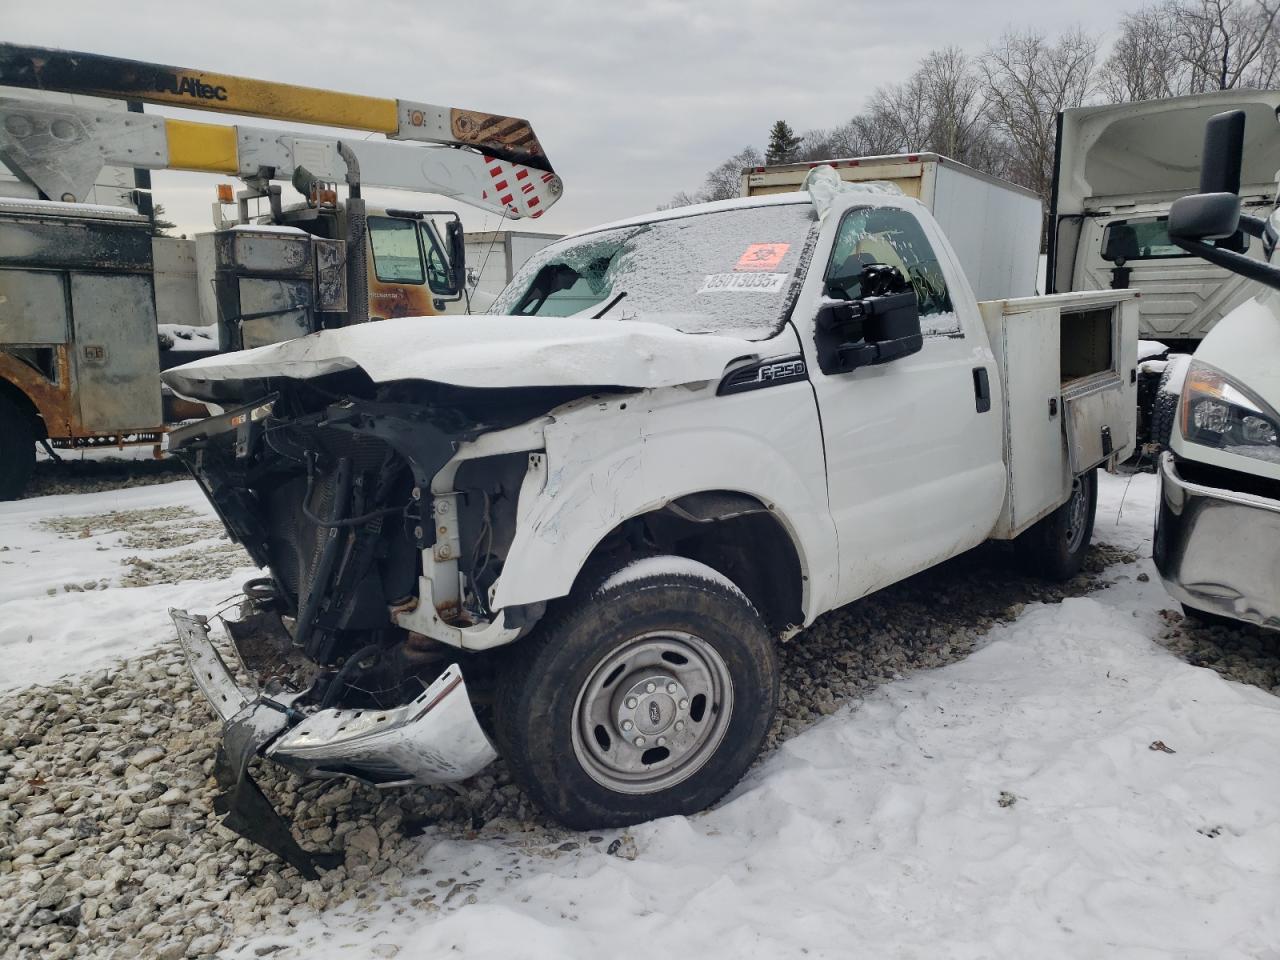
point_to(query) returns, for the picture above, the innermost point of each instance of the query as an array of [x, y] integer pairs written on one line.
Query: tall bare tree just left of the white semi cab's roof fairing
[[1028, 81]]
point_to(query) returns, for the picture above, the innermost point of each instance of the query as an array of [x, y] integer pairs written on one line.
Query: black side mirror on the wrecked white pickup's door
[[866, 332]]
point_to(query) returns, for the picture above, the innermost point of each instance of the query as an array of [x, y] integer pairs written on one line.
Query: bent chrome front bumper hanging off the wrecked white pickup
[[436, 739]]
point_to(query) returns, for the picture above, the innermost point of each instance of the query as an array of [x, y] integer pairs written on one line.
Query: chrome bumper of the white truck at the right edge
[[1219, 551]]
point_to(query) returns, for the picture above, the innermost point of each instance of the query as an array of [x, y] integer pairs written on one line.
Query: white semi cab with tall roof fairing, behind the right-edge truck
[[1116, 180]]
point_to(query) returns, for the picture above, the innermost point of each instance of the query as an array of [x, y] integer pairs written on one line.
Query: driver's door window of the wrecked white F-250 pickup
[[895, 237]]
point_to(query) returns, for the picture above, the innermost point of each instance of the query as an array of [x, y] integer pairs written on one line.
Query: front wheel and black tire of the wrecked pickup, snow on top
[[545, 705]]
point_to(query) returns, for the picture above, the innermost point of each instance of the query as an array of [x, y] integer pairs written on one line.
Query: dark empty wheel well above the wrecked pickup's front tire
[[732, 533]]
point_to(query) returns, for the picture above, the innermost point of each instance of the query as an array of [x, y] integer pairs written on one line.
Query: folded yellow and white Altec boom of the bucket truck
[[491, 162]]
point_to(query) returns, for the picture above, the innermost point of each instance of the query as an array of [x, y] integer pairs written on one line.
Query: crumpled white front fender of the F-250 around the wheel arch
[[607, 461]]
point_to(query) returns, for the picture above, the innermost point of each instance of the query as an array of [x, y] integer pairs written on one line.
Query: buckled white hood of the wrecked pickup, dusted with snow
[[478, 351]]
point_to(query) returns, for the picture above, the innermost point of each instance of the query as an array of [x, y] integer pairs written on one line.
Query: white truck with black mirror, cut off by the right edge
[[1218, 532]]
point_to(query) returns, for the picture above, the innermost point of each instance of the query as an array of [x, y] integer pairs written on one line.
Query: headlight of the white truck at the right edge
[[1219, 413]]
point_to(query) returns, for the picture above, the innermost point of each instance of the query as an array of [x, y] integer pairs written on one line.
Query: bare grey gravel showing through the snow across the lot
[[108, 847]]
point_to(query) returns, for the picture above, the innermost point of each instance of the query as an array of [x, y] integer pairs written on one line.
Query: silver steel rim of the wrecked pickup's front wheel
[[652, 714]]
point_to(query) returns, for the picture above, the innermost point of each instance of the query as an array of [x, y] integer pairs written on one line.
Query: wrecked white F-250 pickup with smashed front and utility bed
[[678, 441]]
